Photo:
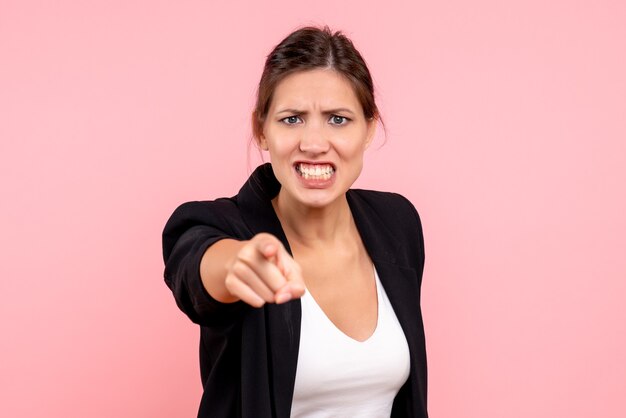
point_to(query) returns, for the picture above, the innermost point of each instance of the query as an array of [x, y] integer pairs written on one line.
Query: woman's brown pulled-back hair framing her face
[[310, 48]]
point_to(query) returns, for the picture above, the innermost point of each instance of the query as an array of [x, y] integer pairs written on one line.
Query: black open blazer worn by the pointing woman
[[248, 356]]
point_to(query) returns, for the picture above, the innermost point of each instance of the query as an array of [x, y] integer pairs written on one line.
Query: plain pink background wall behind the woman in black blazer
[[506, 128]]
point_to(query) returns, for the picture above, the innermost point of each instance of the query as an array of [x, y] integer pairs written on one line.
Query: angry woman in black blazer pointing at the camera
[[307, 292]]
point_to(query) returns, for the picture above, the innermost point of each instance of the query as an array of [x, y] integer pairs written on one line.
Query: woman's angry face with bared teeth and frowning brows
[[316, 134]]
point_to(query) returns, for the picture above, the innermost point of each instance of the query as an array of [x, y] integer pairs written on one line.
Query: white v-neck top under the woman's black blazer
[[338, 376]]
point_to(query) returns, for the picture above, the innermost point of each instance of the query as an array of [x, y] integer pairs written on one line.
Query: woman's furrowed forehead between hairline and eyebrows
[[314, 88]]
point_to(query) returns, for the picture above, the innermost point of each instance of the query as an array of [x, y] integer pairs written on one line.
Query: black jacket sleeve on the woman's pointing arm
[[189, 232]]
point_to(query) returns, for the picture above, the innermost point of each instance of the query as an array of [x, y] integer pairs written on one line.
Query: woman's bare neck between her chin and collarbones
[[311, 226]]
